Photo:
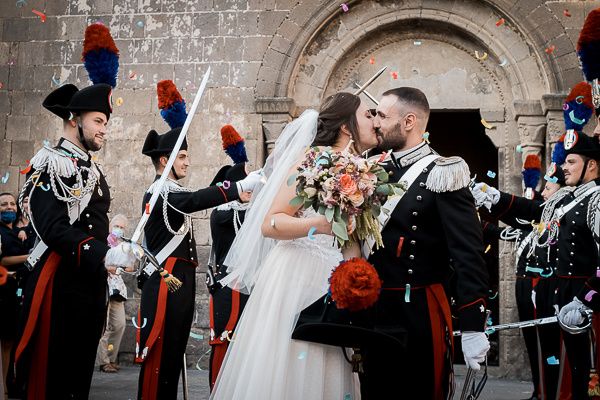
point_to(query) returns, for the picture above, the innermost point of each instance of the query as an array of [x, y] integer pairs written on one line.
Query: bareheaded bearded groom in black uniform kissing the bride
[[432, 233]]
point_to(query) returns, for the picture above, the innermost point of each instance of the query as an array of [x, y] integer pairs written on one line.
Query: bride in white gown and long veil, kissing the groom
[[286, 269]]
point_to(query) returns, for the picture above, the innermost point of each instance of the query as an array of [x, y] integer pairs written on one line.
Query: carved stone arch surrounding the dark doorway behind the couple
[[510, 81]]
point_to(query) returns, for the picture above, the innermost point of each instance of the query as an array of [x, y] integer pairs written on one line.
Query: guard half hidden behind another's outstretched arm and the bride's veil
[[225, 305]]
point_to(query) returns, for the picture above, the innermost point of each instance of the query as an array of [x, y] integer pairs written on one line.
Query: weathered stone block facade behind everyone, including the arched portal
[[271, 59]]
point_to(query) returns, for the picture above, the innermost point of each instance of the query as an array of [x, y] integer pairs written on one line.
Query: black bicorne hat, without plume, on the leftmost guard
[[67, 100]]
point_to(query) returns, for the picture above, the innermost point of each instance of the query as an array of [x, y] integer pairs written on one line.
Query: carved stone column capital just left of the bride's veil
[[276, 113]]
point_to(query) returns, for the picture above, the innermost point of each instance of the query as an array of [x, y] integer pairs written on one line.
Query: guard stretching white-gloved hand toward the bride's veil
[[165, 317]]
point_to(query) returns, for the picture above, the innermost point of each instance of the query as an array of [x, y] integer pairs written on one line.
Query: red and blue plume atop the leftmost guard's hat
[[100, 55]]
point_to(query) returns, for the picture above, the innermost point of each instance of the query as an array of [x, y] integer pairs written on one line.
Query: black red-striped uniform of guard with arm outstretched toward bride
[[165, 318]]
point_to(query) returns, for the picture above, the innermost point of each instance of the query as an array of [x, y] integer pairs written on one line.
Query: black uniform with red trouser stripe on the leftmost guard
[[65, 298]]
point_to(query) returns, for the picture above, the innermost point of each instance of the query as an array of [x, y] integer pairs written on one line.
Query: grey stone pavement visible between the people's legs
[[123, 386]]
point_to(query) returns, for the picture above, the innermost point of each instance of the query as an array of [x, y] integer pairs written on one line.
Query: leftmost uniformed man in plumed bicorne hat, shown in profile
[[65, 298]]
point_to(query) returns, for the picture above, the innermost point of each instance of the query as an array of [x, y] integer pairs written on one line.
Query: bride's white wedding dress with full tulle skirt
[[263, 362]]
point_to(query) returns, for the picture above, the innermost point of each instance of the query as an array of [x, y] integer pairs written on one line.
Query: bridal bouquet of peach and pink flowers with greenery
[[347, 189]]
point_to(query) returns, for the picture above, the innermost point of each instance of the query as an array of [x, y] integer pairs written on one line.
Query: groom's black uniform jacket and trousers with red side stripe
[[427, 233]]
